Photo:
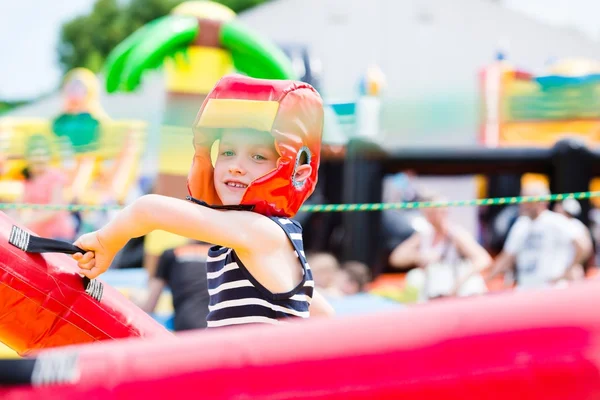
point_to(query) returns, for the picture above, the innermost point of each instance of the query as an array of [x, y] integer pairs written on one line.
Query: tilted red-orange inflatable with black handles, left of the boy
[[43, 303]]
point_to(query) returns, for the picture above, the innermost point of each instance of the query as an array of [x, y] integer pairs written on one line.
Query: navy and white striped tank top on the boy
[[237, 298]]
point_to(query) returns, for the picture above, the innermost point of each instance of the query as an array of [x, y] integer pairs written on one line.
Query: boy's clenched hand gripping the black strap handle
[[97, 258]]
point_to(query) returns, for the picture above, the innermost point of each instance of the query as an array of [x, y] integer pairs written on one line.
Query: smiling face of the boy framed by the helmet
[[244, 155]]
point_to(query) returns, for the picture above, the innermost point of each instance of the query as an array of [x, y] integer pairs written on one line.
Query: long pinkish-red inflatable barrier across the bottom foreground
[[536, 345]]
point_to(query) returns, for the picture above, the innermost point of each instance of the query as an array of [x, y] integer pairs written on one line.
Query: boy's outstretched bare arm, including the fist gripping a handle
[[240, 230]]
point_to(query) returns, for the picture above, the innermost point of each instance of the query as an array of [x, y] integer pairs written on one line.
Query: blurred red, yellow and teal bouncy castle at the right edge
[[521, 108]]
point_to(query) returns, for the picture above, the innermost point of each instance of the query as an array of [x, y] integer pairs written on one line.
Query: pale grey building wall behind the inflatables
[[430, 51]]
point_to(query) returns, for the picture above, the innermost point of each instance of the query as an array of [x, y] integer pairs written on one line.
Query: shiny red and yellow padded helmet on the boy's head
[[291, 111]]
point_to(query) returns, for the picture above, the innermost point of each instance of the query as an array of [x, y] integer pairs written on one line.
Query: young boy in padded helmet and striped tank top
[[268, 137]]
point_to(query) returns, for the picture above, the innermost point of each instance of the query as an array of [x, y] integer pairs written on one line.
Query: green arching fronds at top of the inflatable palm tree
[[194, 28]]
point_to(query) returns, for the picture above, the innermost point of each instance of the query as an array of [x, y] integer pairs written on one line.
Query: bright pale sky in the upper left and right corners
[[28, 57]]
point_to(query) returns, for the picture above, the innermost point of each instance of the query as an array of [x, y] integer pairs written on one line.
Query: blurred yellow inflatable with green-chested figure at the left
[[100, 155]]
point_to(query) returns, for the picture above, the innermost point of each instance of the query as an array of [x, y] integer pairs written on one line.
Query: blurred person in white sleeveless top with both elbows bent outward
[[449, 260]]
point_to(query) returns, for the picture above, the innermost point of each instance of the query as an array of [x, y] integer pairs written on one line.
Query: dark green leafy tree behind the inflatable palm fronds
[[86, 40]]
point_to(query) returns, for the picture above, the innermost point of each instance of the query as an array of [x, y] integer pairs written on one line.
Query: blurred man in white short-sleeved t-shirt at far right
[[542, 245]]
